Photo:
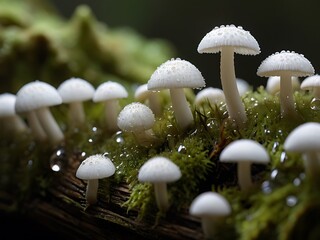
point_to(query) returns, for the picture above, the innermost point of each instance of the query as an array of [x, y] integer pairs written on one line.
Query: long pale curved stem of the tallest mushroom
[[235, 106]]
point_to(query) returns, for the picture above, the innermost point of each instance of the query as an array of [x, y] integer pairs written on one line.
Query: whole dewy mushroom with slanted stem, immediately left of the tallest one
[[175, 75]]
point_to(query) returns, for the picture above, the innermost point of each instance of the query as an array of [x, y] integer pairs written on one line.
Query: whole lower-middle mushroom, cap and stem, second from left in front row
[[159, 171]]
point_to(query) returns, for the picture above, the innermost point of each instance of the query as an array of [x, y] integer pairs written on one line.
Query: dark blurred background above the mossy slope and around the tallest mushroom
[[276, 24]]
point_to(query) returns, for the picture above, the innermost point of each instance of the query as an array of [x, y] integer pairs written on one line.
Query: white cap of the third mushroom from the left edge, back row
[[75, 90]]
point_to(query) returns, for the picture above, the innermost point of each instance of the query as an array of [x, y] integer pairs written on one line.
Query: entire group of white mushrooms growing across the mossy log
[[283, 68]]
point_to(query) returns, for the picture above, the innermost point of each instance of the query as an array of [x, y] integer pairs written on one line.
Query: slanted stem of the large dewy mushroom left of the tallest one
[[181, 108]]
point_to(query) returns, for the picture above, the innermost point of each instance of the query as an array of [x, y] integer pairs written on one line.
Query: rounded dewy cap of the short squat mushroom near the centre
[[135, 117]]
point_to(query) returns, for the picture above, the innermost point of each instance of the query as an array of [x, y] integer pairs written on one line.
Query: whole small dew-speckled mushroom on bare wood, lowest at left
[[92, 169]]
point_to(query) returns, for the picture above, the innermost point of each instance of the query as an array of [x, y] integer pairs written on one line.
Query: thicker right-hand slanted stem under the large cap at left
[[49, 125]]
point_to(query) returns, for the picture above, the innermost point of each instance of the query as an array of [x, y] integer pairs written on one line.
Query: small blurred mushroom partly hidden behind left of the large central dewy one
[[151, 98]]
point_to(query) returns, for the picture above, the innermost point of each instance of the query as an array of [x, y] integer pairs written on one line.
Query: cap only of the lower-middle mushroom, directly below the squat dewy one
[[159, 169]]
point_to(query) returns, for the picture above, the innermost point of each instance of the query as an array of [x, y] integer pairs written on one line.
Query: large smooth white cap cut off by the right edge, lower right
[[303, 138]]
